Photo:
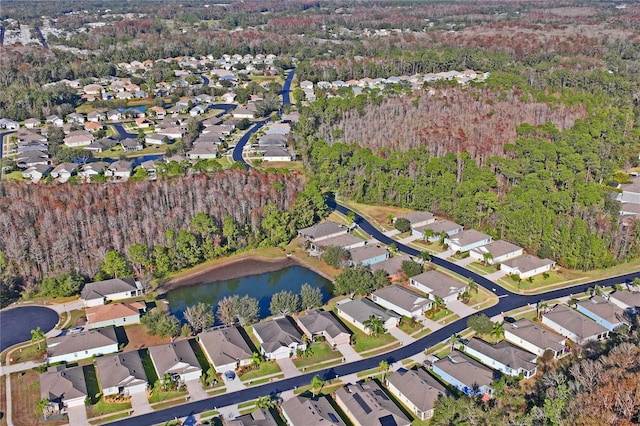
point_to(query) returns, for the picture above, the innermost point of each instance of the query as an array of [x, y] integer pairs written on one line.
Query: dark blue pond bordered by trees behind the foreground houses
[[261, 286]]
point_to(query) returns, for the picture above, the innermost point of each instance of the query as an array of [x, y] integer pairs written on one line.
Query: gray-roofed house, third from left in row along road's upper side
[[176, 359]]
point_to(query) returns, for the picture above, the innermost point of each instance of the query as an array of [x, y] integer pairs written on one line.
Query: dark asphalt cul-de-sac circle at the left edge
[[16, 324]]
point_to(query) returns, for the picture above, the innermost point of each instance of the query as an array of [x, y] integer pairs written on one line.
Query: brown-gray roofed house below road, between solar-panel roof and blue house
[[419, 387]]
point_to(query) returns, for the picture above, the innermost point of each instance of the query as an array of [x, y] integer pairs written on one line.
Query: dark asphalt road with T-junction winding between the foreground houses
[[506, 301]]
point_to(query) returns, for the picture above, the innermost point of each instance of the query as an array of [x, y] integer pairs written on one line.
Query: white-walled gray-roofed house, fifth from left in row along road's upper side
[[278, 338]]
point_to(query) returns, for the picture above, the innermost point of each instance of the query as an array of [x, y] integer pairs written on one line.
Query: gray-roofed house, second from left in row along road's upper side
[[124, 369]]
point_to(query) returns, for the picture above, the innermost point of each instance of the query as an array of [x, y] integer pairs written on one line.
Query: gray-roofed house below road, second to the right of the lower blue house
[[535, 338]]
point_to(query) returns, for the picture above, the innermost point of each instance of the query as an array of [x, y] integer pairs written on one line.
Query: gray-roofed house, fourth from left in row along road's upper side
[[225, 348]]
